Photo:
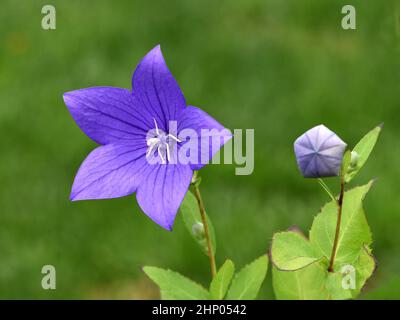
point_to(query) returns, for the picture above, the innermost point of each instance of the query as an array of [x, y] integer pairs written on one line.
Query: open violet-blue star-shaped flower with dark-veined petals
[[132, 125]]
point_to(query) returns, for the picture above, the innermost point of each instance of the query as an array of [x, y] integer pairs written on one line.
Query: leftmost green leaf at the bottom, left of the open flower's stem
[[174, 286]]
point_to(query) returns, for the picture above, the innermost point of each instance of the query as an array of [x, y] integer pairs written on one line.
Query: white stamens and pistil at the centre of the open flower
[[161, 143]]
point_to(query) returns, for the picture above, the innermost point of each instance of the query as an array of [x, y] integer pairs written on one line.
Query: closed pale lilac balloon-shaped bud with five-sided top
[[319, 152]]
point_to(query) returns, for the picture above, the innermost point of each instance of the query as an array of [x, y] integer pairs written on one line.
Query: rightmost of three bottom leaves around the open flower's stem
[[247, 282]]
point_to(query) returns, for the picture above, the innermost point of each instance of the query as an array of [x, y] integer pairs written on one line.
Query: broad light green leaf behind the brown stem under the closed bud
[[354, 229]]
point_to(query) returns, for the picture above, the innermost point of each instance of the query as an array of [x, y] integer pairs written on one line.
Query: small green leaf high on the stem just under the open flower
[[192, 219]]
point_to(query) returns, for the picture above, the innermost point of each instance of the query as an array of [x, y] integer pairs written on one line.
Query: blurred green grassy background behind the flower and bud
[[279, 67]]
